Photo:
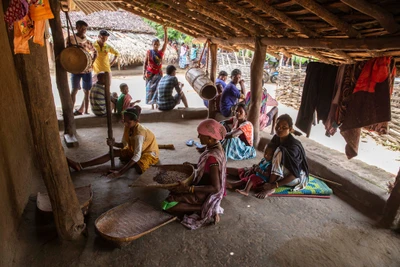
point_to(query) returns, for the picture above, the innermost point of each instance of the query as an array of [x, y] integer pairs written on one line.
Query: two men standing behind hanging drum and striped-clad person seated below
[[100, 52]]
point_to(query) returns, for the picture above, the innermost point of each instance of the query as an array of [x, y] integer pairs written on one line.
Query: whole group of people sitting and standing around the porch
[[284, 161]]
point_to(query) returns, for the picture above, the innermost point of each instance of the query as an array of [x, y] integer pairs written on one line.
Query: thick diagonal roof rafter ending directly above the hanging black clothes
[[282, 17]]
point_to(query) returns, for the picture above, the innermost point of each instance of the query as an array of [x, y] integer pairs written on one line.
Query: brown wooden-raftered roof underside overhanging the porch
[[331, 30]]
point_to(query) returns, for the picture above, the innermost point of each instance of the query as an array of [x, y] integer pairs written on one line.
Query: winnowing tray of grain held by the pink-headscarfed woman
[[169, 175]]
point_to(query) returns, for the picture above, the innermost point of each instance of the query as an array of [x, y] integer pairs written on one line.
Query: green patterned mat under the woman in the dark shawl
[[314, 187]]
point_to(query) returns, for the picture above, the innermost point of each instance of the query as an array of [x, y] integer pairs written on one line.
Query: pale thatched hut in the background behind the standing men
[[129, 33]]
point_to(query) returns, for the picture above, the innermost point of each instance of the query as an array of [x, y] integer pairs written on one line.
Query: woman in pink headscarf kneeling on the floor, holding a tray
[[200, 201]]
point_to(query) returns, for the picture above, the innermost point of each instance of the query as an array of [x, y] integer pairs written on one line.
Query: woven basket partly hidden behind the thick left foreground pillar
[[84, 194]]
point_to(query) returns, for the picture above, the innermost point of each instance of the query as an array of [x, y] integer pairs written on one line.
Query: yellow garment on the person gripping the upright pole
[[150, 151]]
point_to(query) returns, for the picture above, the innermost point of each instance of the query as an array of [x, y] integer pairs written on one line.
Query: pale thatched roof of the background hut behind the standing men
[[120, 20]]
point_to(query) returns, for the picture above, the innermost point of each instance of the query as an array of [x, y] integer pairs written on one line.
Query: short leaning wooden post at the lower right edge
[[392, 207]]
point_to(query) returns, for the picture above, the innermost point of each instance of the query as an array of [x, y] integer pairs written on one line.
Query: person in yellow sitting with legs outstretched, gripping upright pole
[[138, 149]]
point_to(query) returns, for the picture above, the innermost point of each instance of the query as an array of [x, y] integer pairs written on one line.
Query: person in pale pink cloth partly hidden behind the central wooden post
[[266, 118]]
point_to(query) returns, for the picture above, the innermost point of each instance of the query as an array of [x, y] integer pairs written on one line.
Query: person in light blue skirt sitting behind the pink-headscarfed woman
[[238, 143]]
